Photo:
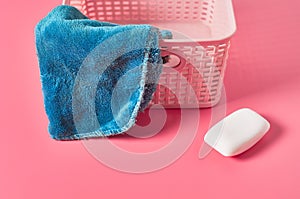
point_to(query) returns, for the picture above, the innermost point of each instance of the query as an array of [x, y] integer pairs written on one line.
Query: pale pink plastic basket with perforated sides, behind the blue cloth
[[198, 50]]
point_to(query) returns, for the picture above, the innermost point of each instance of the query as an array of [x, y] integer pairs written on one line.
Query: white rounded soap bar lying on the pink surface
[[237, 132]]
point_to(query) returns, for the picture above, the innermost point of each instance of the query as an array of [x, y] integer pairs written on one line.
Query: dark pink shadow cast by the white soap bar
[[266, 142]]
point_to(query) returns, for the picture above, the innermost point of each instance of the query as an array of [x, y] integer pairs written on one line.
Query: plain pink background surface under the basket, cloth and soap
[[263, 74]]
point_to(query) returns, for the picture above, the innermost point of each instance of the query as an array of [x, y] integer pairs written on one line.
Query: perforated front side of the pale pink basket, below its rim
[[204, 70]]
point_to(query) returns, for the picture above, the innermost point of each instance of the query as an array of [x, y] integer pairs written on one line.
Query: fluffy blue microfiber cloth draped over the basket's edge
[[96, 76]]
